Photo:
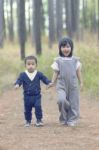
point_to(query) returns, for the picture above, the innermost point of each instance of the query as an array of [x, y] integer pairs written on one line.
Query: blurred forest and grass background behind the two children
[[34, 27]]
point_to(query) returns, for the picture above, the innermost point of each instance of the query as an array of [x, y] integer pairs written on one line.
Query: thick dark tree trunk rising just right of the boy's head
[[37, 25]]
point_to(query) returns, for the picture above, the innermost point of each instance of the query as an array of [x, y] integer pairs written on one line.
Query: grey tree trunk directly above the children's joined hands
[[51, 22]]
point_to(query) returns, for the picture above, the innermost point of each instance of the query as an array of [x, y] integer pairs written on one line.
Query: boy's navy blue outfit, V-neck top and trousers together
[[32, 94]]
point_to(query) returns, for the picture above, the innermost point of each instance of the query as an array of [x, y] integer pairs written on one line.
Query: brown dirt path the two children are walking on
[[53, 136]]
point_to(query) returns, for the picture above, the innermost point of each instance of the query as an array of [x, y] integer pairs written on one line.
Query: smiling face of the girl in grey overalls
[[66, 50]]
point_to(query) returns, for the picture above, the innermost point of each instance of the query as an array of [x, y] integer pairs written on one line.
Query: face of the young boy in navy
[[31, 65]]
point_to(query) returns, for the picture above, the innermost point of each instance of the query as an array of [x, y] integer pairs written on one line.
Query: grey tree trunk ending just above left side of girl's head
[[59, 19]]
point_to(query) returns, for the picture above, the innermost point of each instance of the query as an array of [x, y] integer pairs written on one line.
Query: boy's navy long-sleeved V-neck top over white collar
[[32, 87]]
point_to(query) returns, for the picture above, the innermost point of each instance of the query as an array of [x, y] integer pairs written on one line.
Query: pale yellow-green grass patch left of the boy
[[9, 66]]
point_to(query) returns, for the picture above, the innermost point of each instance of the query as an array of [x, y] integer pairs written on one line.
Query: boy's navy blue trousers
[[29, 103]]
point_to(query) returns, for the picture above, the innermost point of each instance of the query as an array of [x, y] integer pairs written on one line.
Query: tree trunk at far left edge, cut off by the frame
[[1, 23]]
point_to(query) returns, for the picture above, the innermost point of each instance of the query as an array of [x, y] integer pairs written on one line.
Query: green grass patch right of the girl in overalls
[[90, 67]]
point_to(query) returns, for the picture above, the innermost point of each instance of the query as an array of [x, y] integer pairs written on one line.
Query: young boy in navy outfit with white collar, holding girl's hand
[[30, 79]]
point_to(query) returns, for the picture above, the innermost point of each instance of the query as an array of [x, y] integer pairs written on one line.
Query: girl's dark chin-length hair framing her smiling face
[[63, 42]]
